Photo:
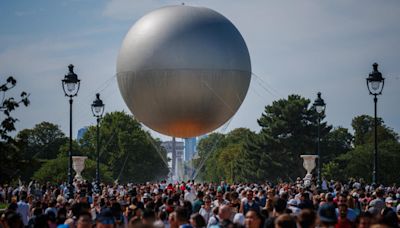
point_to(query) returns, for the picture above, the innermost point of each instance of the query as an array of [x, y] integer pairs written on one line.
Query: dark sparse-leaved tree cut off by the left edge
[[11, 159]]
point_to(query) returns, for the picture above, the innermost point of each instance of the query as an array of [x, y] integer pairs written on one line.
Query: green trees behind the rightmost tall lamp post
[[358, 161]]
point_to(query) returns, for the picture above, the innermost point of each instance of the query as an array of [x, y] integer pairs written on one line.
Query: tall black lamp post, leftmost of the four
[[70, 85]]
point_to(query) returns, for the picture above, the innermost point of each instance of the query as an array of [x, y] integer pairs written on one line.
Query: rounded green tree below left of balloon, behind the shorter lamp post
[[130, 153]]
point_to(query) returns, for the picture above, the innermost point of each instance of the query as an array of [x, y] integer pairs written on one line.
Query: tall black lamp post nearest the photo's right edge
[[375, 83]]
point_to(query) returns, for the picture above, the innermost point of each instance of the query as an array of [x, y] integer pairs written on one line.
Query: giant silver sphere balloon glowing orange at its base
[[183, 71]]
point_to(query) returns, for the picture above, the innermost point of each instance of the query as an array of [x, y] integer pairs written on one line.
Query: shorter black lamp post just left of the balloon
[[98, 110]]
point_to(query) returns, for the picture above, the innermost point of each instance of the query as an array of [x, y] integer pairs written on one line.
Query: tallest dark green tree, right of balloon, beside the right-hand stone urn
[[288, 129]]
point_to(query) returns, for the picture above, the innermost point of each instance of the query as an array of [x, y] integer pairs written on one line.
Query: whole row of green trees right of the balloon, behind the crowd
[[289, 129]]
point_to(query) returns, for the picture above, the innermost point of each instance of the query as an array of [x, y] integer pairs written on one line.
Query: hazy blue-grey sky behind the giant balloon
[[299, 47]]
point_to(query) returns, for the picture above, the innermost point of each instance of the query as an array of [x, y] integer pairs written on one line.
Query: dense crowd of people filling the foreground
[[190, 204]]
